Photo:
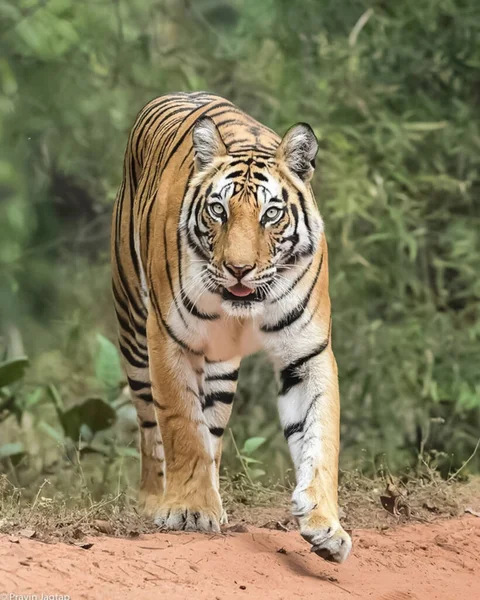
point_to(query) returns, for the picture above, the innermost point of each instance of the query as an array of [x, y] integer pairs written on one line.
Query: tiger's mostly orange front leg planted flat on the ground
[[190, 499]]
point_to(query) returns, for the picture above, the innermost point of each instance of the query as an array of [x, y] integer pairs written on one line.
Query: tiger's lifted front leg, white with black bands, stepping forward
[[309, 412]]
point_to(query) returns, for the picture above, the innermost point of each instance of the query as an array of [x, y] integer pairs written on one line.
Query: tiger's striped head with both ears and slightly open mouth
[[252, 219]]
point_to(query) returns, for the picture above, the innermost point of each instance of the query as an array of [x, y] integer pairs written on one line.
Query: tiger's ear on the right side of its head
[[298, 149]]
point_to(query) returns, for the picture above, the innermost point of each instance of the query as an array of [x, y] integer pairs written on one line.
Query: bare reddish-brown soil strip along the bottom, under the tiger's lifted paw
[[436, 561]]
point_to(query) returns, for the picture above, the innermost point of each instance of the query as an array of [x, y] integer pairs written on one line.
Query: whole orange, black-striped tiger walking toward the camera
[[218, 251]]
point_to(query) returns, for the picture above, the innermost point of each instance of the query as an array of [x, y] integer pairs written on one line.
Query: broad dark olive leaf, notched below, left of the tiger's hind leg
[[94, 413]]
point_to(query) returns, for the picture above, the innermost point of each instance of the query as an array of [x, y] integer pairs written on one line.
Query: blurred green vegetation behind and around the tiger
[[392, 90]]
